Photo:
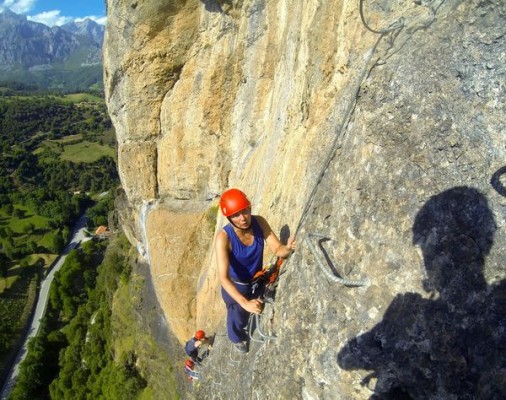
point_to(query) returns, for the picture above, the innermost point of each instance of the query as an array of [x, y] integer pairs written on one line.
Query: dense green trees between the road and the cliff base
[[73, 354]]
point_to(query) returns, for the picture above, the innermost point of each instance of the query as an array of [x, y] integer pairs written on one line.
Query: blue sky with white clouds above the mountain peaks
[[57, 12]]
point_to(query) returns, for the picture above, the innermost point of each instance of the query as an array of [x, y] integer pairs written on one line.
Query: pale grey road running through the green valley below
[[78, 236]]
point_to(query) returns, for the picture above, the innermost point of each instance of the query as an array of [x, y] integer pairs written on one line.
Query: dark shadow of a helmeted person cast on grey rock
[[452, 345]]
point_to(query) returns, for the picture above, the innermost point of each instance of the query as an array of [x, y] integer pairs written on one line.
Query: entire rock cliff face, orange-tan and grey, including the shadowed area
[[378, 126]]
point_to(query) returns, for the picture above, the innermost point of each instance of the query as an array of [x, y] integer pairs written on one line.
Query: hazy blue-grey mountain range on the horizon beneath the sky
[[66, 57]]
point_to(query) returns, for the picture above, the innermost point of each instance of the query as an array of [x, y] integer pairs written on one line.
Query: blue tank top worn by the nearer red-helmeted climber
[[245, 261]]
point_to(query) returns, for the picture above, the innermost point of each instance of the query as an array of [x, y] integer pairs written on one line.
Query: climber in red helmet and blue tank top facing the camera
[[239, 255]]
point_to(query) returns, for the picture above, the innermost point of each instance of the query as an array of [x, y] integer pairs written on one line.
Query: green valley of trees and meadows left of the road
[[57, 160]]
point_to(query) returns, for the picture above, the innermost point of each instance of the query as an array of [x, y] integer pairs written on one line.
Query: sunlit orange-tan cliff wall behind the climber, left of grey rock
[[205, 96]]
